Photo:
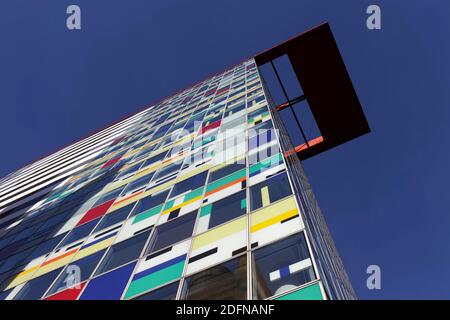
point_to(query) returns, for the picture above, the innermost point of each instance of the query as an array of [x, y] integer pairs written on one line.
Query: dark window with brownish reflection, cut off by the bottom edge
[[226, 281]]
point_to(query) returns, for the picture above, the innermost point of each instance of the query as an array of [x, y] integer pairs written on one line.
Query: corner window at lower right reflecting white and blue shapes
[[281, 266]]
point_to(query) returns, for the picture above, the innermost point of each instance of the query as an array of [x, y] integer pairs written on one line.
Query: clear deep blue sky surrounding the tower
[[385, 195]]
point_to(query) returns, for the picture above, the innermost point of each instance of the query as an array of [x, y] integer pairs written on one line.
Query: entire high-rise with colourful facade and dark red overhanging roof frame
[[199, 196]]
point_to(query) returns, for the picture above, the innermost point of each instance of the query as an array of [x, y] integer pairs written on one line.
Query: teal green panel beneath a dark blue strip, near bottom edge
[[155, 279]]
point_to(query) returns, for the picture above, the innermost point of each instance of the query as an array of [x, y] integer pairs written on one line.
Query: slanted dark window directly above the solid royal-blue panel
[[123, 252]]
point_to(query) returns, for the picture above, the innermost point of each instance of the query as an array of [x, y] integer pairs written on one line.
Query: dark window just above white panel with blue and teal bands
[[172, 232]]
